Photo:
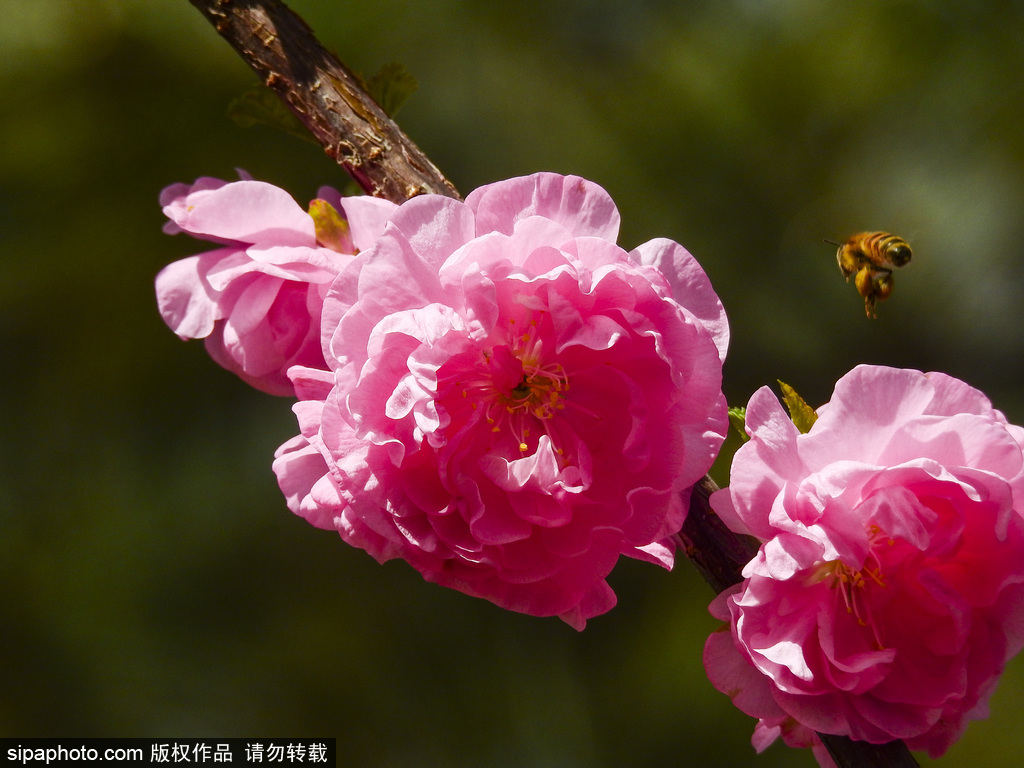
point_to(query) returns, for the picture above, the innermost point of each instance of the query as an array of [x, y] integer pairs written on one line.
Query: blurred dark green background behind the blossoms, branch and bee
[[152, 581]]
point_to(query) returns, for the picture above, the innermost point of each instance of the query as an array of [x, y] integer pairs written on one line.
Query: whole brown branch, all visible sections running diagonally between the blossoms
[[357, 134]]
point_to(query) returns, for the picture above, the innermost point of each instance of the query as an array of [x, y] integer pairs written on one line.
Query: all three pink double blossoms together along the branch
[[499, 395]]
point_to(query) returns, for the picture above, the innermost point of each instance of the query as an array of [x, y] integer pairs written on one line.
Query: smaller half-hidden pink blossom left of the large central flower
[[258, 300]]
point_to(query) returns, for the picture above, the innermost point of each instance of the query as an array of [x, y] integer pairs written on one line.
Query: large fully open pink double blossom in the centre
[[514, 401]]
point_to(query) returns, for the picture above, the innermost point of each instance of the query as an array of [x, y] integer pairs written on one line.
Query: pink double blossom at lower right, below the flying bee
[[887, 595]]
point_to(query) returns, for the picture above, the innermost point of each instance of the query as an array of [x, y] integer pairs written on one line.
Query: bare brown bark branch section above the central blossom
[[327, 98]]
